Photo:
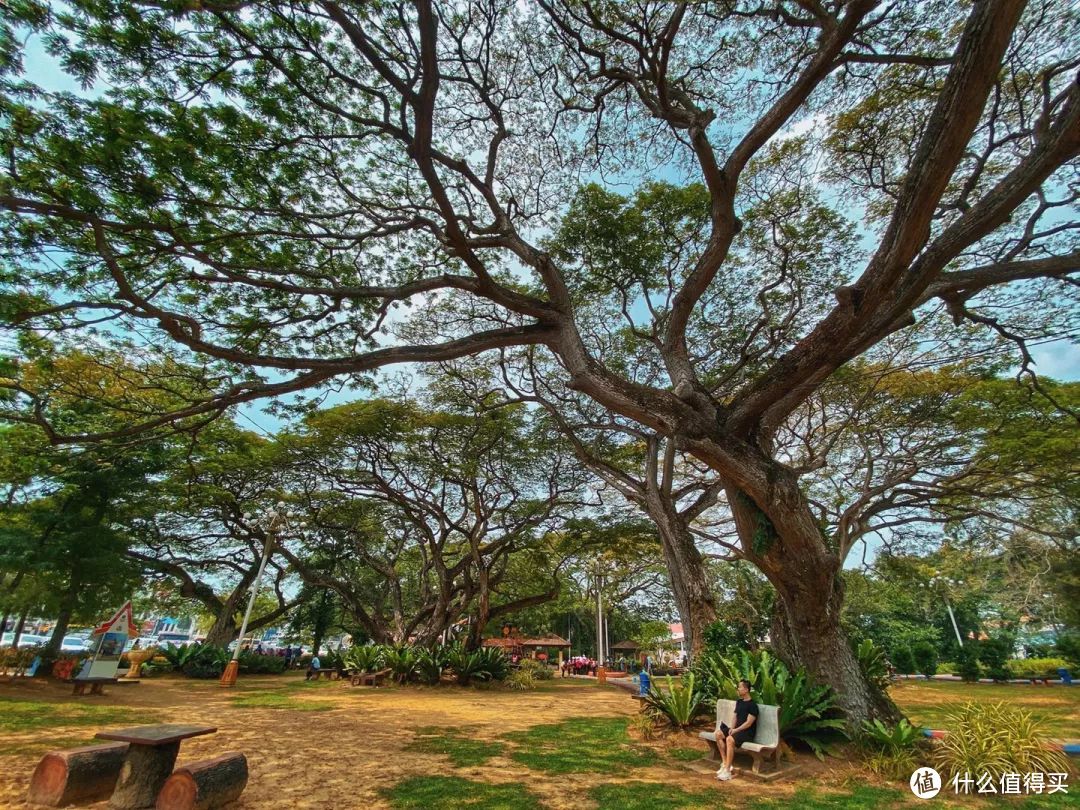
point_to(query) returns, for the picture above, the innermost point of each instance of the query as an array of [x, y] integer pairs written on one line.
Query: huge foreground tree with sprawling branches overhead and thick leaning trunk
[[264, 182]]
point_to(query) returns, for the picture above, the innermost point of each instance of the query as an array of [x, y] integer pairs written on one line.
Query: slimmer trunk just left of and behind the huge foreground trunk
[[686, 569]]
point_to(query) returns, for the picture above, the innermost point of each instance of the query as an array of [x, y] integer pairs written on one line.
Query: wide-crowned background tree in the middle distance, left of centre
[[420, 515]]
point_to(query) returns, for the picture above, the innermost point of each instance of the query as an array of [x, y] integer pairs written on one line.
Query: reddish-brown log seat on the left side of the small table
[[75, 776]]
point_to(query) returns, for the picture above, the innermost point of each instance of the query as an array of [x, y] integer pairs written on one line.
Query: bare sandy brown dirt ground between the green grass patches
[[334, 746]]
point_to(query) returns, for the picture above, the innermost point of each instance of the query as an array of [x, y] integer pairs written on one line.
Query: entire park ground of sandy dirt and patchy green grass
[[565, 747]]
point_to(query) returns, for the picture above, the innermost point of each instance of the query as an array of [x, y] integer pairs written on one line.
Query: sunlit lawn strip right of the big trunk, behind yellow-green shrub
[[927, 703]]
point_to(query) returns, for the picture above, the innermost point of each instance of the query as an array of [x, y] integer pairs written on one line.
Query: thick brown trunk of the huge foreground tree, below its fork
[[789, 548]]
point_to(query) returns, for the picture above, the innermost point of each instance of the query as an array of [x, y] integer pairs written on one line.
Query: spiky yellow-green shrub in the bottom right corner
[[995, 739]]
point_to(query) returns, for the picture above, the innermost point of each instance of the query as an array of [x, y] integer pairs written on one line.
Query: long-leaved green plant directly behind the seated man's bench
[[808, 711]]
